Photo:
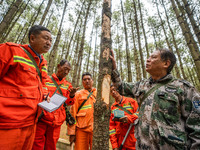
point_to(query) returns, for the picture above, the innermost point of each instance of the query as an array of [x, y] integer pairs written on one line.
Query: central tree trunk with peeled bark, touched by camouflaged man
[[101, 107]]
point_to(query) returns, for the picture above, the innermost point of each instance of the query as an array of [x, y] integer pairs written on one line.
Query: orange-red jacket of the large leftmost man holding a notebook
[[21, 87]]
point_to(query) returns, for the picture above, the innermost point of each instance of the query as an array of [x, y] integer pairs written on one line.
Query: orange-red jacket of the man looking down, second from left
[[57, 117]]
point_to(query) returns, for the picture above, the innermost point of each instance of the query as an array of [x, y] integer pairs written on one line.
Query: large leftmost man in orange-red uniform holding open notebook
[[22, 88]]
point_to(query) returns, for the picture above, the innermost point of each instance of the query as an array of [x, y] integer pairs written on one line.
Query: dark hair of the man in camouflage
[[165, 55]]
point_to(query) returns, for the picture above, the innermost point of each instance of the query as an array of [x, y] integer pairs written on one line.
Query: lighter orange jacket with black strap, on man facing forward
[[84, 118]]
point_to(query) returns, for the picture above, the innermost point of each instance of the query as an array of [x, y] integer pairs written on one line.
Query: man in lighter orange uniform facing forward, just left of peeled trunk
[[82, 131]]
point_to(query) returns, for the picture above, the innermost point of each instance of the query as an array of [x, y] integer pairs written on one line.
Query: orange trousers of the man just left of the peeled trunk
[[83, 140]]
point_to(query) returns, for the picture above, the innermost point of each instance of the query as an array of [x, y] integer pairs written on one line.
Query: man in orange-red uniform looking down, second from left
[[48, 127]]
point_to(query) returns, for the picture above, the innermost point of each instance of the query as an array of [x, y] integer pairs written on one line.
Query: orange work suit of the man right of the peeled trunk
[[117, 130]]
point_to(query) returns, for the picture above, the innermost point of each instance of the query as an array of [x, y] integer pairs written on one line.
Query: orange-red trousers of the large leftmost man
[[17, 139]]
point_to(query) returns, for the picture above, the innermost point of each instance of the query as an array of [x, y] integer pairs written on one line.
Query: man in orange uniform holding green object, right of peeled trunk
[[119, 127]]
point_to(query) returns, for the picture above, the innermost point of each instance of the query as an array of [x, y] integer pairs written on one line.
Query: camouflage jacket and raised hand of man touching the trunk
[[169, 118]]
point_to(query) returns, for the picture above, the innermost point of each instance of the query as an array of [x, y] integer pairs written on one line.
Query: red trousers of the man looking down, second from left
[[46, 137]]
